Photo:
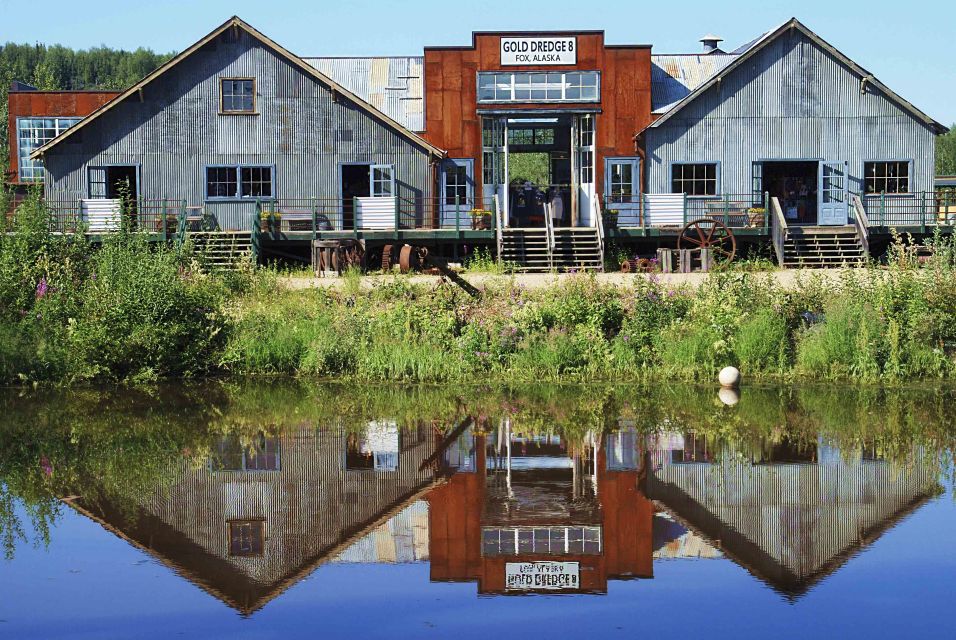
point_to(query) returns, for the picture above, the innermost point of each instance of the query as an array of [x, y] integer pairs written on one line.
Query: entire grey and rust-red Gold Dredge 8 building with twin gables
[[546, 146]]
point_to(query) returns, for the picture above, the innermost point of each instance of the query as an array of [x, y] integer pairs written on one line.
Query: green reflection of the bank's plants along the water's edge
[[124, 444]]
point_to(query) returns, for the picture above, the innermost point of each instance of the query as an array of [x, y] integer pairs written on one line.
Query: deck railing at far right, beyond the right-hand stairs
[[924, 209]]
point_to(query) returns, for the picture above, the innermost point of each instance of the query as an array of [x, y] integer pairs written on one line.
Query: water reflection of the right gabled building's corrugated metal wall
[[803, 516]]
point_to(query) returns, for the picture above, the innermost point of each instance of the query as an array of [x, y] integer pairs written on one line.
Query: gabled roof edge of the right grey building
[[749, 50]]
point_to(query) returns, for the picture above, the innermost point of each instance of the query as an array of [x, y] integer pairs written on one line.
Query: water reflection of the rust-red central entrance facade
[[538, 500]]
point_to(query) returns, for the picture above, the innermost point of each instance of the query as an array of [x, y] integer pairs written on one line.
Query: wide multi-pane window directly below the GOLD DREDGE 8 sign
[[573, 86]]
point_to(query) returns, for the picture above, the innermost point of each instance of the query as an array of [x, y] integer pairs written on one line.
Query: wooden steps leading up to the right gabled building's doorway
[[823, 247]]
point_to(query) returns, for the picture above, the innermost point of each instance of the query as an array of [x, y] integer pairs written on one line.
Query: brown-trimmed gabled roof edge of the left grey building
[[238, 23]]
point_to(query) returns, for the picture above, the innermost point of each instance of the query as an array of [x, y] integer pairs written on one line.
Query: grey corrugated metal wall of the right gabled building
[[792, 100]]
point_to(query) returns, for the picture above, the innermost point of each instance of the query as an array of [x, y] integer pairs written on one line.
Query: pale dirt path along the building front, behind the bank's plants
[[786, 278]]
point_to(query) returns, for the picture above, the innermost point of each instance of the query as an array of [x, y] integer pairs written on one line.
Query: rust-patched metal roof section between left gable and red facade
[[394, 85]]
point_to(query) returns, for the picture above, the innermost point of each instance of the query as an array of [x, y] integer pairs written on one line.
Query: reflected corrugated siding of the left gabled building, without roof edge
[[310, 506]]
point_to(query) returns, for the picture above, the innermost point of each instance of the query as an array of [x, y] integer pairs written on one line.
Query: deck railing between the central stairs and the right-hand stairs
[[740, 211]]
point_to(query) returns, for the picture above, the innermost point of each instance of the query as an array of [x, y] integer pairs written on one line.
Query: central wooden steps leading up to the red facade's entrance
[[532, 249]]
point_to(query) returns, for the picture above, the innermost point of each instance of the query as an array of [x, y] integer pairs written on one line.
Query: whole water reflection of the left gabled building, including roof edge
[[263, 514]]
